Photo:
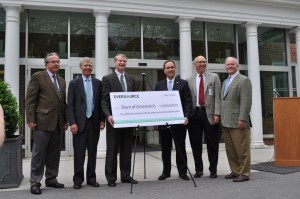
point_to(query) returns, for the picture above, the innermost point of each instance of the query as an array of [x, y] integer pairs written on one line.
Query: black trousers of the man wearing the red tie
[[198, 124]]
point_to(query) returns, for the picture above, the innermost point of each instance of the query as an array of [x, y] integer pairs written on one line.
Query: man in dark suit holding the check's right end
[[179, 130]]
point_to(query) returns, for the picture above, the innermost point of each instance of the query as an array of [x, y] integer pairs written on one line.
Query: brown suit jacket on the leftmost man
[[43, 105]]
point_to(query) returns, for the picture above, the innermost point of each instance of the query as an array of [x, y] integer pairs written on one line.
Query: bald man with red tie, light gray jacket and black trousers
[[206, 93]]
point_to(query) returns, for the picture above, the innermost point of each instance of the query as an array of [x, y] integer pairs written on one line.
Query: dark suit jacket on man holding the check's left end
[[111, 83]]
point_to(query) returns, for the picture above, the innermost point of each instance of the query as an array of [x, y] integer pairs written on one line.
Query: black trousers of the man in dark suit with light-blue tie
[[88, 139]]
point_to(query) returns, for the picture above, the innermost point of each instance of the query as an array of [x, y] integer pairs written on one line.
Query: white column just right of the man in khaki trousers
[[254, 76]]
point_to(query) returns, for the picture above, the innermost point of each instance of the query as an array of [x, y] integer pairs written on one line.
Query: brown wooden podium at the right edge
[[287, 131]]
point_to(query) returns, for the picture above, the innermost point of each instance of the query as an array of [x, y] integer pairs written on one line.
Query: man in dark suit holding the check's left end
[[117, 139]]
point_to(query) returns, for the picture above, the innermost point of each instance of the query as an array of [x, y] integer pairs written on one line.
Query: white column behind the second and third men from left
[[101, 54]]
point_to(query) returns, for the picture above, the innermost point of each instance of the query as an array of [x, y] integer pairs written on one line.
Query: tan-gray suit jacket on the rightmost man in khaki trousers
[[237, 101]]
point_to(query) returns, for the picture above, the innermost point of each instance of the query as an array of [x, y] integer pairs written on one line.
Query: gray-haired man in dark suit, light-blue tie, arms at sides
[[85, 120]]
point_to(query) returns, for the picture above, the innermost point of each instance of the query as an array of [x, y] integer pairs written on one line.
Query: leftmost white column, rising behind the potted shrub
[[12, 47]]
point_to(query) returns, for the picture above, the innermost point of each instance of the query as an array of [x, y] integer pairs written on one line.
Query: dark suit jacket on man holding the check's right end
[[184, 92]]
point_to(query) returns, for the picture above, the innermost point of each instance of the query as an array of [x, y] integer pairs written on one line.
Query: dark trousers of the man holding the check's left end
[[118, 140]]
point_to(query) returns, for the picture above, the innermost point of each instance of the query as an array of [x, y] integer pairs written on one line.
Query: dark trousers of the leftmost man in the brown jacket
[[45, 153]]
